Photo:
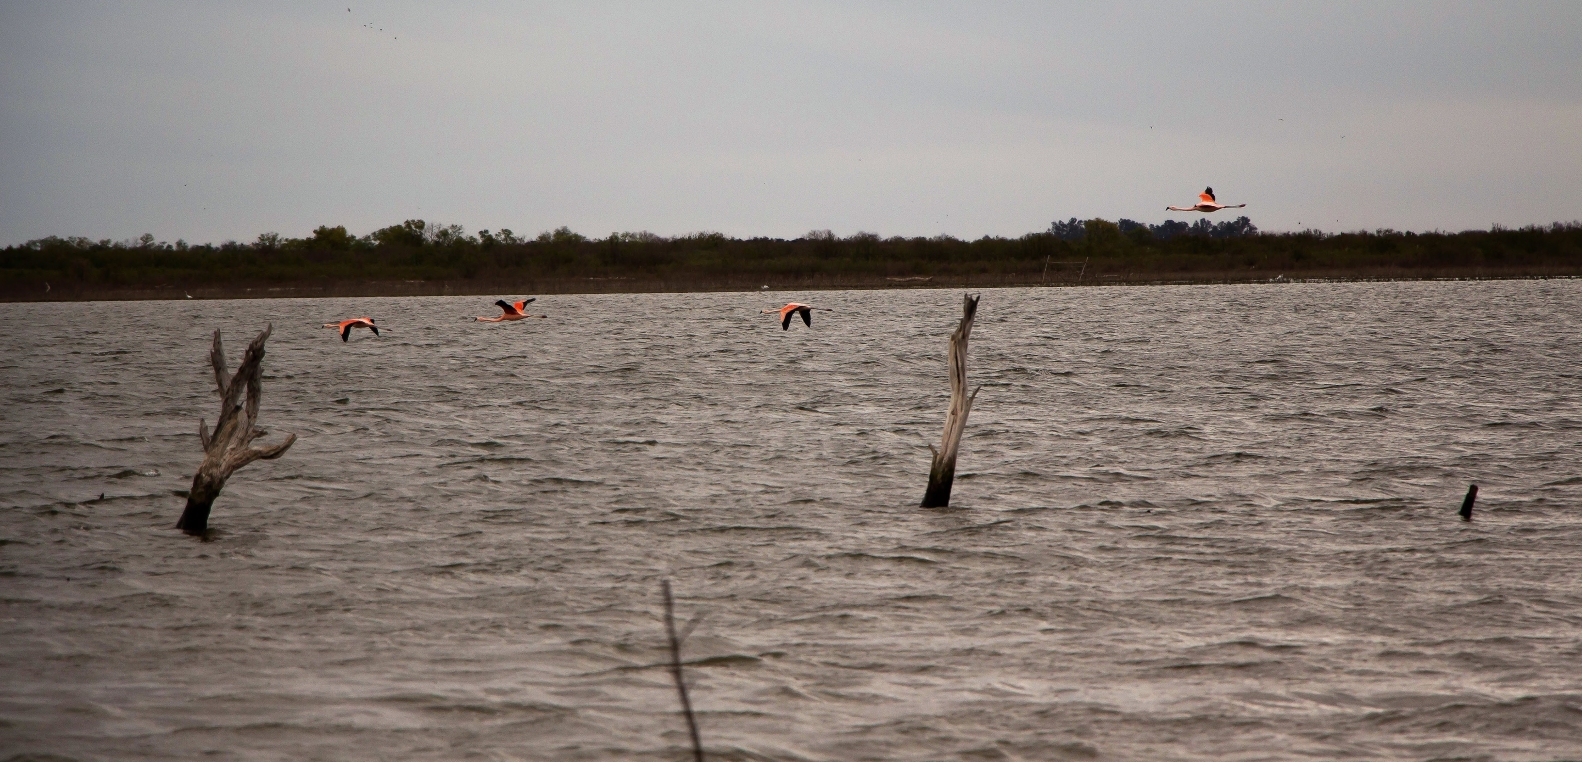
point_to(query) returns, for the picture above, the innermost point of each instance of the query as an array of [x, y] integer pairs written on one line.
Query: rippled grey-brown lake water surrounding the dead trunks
[[1198, 522]]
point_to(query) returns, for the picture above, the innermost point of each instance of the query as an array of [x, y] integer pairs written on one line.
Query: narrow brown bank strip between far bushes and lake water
[[623, 285]]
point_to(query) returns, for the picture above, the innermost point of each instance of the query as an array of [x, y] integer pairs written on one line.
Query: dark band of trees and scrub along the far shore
[[425, 258]]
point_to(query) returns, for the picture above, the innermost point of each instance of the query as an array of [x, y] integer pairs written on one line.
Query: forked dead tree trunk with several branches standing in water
[[229, 448]]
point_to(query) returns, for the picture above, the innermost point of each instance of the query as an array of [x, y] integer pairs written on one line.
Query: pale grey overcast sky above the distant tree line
[[224, 121]]
